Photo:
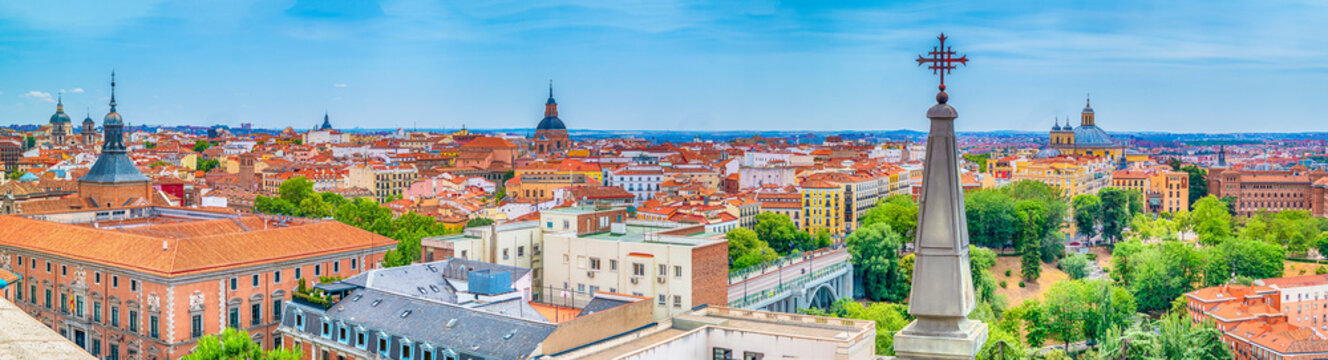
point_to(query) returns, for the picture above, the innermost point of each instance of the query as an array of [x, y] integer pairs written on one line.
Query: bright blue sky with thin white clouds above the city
[[673, 66]]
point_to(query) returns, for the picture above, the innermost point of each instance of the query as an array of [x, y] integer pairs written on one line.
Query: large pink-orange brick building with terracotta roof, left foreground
[[148, 282]]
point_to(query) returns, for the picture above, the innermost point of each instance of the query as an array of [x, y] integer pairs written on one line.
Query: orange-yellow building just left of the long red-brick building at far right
[[1165, 191]]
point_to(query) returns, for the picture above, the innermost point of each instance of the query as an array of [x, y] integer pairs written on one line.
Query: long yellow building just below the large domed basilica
[[1074, 176]]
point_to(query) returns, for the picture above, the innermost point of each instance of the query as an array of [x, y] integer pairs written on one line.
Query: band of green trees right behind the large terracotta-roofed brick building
[[298, 199]]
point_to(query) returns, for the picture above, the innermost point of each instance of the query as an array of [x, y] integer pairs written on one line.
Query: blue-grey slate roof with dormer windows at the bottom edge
[[473, 333]]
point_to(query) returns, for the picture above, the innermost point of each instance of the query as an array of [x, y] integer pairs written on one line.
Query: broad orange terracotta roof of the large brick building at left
[[175, 242]]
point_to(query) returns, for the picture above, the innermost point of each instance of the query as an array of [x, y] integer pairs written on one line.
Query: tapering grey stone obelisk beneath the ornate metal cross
[[942, 286]]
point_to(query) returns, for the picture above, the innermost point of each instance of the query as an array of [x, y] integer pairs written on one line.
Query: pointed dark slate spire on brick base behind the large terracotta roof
[[115, 181]]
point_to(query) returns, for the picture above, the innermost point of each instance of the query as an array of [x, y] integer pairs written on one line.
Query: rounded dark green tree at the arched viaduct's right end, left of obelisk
[[876, 261]]
